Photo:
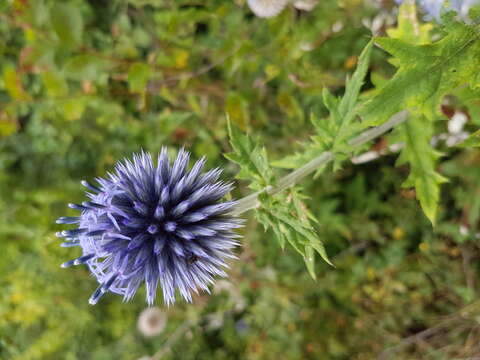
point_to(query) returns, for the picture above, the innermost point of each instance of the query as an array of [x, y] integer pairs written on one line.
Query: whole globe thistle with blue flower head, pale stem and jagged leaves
[[164, 225]]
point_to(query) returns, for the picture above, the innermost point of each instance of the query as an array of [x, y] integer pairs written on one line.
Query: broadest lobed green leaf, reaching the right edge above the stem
[[426, 72]]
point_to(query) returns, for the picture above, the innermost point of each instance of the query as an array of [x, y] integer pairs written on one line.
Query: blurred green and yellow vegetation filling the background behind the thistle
[[85, 82]]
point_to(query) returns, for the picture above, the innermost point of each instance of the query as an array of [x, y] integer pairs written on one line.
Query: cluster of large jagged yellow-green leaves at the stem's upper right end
[[426, 71]]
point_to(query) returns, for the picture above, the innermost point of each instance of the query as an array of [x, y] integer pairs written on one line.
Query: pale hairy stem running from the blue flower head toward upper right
[[251, 201]]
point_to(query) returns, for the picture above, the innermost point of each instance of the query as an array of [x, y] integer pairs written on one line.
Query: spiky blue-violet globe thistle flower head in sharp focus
[[162, 225]]
